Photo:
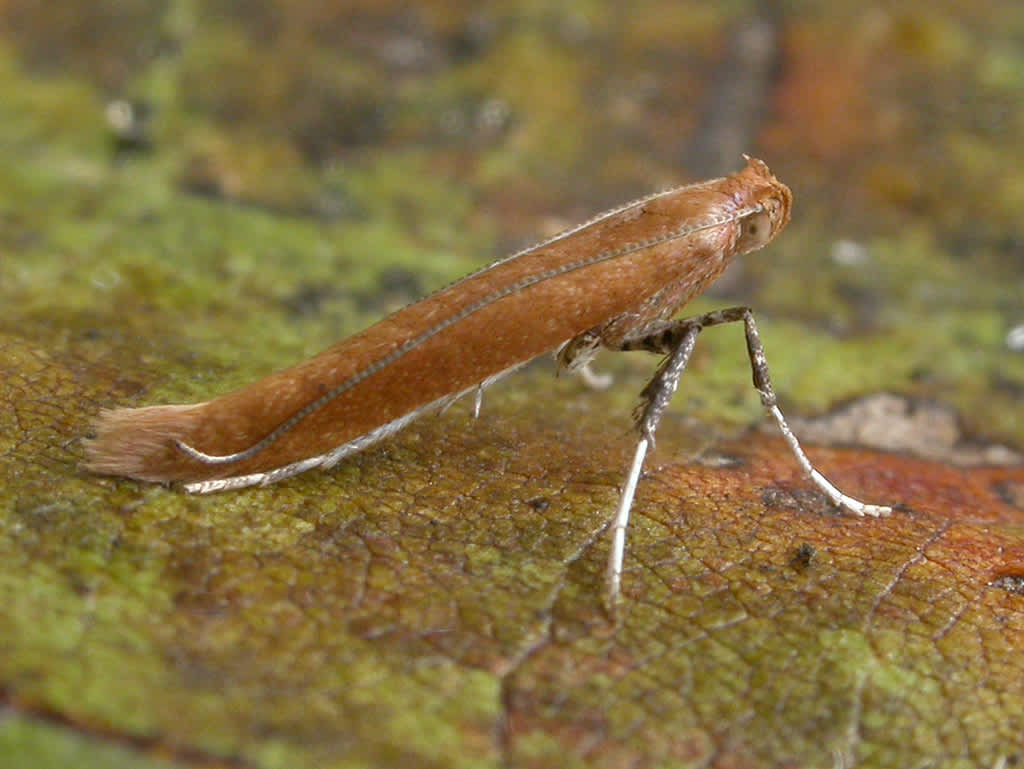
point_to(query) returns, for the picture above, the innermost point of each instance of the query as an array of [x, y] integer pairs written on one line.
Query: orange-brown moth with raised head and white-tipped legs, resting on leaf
[[613, 283]]
